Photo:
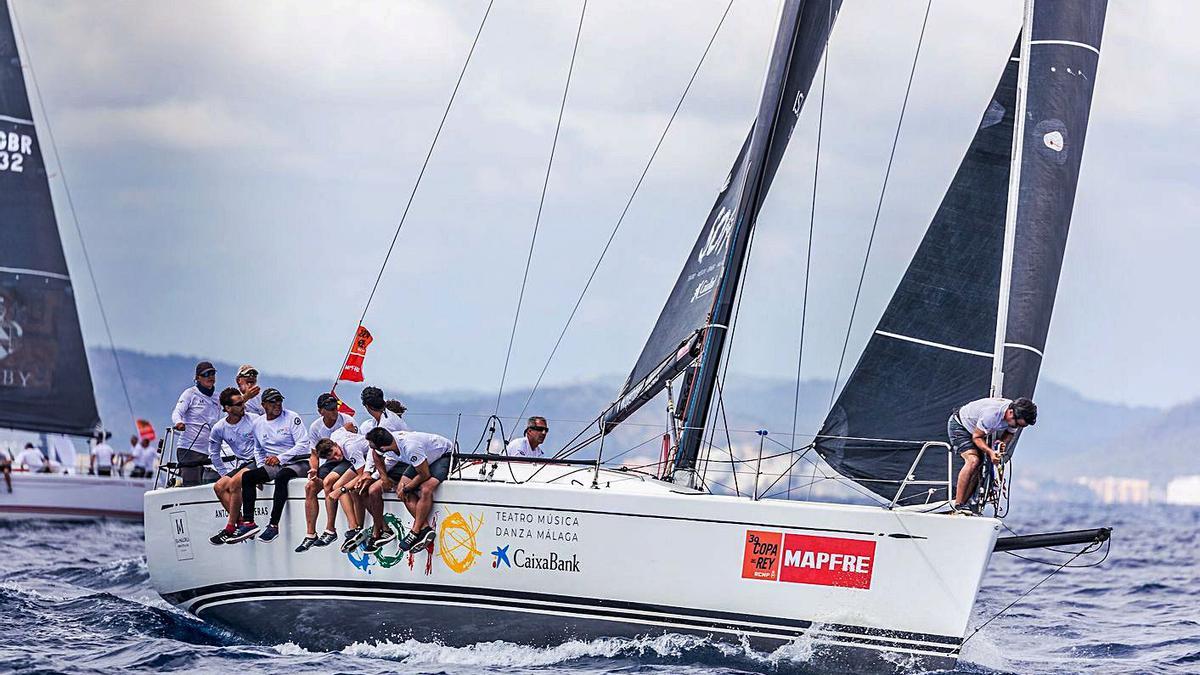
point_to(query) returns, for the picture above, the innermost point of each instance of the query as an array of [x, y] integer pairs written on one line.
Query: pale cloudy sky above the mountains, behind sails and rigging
[[238, 171]]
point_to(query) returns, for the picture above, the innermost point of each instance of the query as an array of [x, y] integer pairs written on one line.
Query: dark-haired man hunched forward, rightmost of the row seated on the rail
[[428, 457]]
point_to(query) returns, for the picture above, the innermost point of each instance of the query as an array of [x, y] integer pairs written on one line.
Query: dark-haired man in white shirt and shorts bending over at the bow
[[970, 429]]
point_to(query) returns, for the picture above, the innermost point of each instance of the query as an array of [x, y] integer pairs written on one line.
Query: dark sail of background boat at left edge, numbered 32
[[45, 383]]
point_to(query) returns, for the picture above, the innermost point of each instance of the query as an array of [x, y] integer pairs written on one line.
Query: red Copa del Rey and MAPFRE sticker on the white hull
[[803, 559]]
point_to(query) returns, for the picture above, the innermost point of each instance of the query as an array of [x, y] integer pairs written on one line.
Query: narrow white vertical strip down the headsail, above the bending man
[[1015, 194]]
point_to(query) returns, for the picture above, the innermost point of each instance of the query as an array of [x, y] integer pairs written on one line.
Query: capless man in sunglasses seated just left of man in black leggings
[[237, 431]]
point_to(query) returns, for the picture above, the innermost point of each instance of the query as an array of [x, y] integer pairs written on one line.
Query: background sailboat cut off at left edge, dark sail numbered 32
[[45, 383]]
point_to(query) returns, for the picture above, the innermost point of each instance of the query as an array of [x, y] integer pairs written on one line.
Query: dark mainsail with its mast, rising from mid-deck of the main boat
[[695, 320]]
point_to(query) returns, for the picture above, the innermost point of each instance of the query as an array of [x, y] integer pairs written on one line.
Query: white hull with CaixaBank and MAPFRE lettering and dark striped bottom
[[539, 564]]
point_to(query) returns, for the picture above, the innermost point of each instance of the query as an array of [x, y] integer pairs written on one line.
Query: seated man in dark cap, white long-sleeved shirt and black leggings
[[283, 452]]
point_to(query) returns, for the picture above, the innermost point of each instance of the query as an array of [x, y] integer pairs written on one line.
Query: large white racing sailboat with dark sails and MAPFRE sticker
[[556, 549]]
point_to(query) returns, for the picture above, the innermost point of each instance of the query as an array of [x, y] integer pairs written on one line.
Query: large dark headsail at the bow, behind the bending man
[[935, 347]]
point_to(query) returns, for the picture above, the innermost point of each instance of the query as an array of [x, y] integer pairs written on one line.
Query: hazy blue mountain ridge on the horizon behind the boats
[[1075, 435]]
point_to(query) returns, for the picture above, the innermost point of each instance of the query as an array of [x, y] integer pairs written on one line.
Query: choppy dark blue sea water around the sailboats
[[76, 599]]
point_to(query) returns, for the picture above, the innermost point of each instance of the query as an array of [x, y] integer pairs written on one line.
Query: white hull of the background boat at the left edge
[[73, 497]]
